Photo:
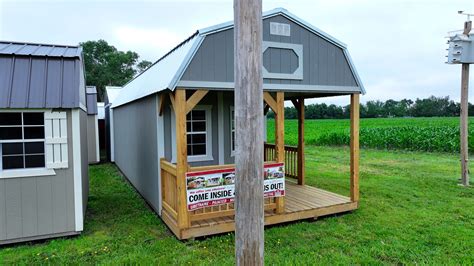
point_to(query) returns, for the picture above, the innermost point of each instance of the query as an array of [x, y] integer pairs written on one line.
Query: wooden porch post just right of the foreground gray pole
[[280, 141]]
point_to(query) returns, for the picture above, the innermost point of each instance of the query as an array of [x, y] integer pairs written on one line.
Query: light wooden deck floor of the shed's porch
[[301, 202]]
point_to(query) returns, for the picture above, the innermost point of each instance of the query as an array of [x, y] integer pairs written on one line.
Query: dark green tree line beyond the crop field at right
[[428, 107]]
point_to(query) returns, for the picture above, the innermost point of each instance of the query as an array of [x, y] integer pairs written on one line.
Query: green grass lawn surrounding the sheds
[[411, 211]]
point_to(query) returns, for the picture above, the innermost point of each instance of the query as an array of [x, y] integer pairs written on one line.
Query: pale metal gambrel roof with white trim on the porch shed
[[165, 73]]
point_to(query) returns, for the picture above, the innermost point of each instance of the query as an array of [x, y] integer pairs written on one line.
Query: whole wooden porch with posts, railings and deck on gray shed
[[300, 201]]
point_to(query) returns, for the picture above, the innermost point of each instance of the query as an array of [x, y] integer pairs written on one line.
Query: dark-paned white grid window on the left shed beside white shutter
[[22, 142]]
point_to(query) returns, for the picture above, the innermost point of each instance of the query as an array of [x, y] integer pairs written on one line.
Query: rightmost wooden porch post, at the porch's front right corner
[[354, 147]]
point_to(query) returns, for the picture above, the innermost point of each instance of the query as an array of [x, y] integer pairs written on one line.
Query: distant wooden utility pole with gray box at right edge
[[464, 116]]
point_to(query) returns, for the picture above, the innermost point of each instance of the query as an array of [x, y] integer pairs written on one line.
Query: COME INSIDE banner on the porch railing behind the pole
[[216, 187]]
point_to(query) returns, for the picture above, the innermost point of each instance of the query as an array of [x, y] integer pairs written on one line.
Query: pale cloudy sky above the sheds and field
[[398, 47]]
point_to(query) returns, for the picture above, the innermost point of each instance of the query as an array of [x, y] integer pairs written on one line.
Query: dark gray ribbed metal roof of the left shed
[[41, 76]]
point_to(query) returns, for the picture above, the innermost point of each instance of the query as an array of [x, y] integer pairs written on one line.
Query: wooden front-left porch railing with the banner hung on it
[[170, 195]]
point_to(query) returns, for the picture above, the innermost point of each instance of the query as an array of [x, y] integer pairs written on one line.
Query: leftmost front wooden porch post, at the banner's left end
[[181, 156]]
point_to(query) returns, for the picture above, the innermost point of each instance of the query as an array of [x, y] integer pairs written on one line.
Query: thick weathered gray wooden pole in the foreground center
[[249, 132]]
